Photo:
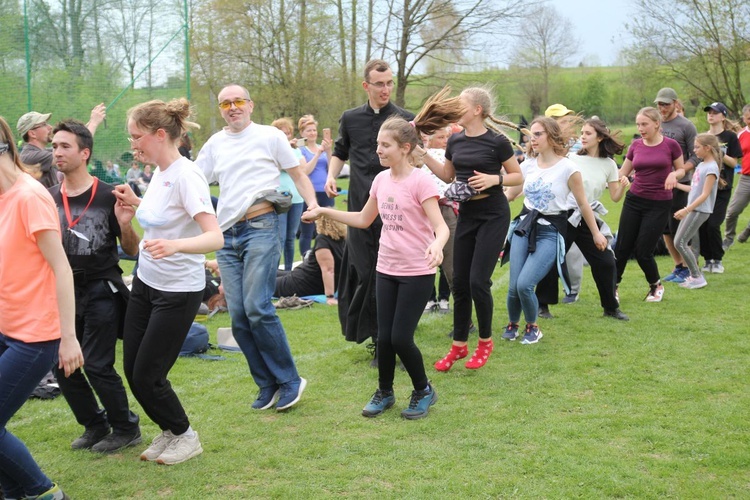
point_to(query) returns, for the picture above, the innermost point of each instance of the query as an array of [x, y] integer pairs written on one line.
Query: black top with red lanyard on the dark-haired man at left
[[96, 256]]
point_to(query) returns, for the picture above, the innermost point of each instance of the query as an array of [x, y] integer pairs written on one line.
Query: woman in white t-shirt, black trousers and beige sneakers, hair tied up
[[179, 226]]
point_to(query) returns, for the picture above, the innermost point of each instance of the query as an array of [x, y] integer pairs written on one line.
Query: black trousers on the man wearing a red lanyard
[[99, 314]]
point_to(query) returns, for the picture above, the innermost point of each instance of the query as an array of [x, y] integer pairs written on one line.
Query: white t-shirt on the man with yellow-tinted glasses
[[244, 164]]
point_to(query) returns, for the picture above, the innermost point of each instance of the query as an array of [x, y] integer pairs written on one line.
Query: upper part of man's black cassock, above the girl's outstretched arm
[[358, 142]]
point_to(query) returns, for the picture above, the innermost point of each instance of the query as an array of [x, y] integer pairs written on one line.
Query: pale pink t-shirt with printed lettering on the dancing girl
[[407, 231]]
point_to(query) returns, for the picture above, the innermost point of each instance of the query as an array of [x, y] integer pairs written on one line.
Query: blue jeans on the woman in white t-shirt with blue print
[[527, 270]]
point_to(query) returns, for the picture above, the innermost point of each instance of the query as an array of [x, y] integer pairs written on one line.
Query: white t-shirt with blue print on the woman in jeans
[[546, 189]]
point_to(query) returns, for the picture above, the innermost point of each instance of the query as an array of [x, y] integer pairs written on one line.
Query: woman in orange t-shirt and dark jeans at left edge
[[31, 338]]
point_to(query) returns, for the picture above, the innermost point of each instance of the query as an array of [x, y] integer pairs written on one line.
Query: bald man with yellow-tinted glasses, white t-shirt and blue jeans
[[245, 158]]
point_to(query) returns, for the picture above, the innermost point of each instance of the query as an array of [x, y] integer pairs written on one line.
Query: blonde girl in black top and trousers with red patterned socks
[[480, 160]]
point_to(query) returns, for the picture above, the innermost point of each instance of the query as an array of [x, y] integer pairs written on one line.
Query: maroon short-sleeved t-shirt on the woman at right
[[652, 165]]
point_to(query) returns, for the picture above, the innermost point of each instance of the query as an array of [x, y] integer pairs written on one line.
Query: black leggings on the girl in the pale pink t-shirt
[[401, 301]]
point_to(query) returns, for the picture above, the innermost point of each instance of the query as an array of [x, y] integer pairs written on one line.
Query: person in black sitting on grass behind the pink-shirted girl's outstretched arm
[[318, 273]]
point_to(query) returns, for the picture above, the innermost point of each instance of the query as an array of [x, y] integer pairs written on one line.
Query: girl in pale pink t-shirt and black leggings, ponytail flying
[[411, 247]]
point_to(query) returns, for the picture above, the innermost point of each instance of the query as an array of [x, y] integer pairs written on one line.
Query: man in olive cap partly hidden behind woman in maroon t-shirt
[[682, 130]]
